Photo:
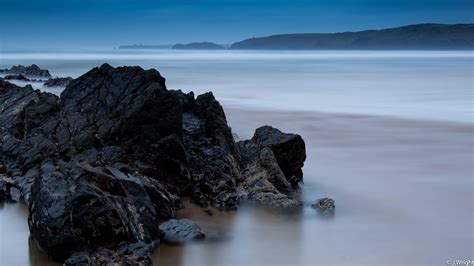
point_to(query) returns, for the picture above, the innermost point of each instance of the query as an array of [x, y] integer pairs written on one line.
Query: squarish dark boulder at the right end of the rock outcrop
[[272, 164]]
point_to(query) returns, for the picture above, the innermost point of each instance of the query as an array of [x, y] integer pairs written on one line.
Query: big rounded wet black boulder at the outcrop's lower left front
[[98, 207]]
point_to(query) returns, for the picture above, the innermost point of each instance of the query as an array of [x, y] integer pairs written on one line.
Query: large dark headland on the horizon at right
[[414, 37]]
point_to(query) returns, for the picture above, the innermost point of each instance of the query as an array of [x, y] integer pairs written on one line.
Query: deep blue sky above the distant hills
[[54, 24]]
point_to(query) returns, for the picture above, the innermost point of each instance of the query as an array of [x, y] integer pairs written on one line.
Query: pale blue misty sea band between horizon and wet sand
[[414, 84]]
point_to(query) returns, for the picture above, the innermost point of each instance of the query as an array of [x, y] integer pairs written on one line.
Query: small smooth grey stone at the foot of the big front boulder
[[178, 231]]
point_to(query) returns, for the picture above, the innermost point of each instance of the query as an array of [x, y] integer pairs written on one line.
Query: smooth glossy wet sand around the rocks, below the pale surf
[[403, 191]]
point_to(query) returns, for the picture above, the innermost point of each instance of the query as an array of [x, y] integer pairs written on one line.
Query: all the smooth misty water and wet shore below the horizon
[[403, 187]]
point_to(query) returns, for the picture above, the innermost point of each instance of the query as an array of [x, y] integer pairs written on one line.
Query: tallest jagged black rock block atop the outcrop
[[117, 106]]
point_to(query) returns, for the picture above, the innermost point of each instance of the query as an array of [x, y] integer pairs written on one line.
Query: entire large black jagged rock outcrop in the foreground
[[103, 164]]
